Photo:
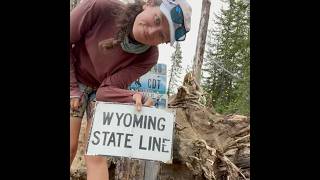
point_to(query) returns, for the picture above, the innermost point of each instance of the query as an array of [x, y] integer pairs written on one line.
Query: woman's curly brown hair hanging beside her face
[[125, 20]]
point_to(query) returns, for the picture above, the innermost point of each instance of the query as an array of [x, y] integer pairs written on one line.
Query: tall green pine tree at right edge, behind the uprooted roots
[[227, 60]]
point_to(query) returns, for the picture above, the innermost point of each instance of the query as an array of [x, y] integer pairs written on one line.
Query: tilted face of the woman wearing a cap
[[151, 27]]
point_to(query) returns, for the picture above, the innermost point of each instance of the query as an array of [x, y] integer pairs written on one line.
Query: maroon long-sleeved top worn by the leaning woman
[[109, 72]]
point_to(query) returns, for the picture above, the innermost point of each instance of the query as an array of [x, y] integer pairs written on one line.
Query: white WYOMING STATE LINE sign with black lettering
[[120, 130]]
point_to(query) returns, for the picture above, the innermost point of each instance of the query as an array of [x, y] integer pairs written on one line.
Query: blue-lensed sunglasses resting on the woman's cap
[[178, 18]]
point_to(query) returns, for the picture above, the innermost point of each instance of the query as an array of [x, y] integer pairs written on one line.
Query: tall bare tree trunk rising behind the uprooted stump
[[201, 41]]
